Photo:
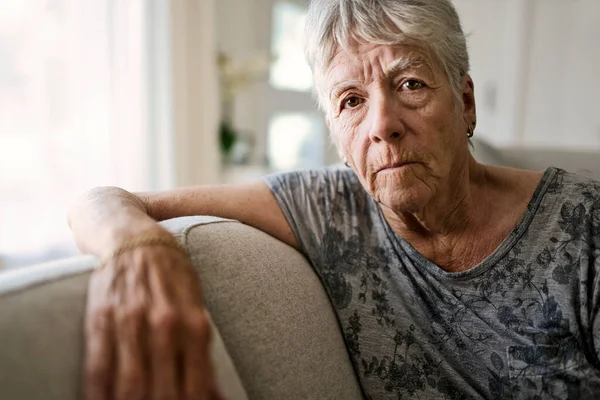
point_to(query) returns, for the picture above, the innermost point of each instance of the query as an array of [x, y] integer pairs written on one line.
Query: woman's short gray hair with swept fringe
[[434, 24]]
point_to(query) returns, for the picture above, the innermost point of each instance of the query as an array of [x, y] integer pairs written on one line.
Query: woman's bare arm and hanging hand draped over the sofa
[[146, 330]]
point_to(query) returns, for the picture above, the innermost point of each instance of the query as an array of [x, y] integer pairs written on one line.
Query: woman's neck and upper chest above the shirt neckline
[[465, 223]]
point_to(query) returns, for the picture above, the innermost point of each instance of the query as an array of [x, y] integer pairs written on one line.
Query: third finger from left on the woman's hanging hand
[[164, 349]]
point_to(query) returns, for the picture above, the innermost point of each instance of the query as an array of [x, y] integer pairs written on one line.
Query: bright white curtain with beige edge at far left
[[95, 93]]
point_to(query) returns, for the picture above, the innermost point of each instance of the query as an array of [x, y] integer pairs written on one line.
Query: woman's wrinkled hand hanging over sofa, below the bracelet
[[147, 334]]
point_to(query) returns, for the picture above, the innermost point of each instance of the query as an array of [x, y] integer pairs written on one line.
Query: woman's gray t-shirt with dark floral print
[[523, 324]]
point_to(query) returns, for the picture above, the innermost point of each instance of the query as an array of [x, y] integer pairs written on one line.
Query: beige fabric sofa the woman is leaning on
[[277, 336]]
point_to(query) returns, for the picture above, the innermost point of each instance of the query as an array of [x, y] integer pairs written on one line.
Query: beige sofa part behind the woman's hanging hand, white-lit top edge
[[42, 310]]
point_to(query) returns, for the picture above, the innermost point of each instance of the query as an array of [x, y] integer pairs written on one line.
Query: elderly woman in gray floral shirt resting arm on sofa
[[450, 279]]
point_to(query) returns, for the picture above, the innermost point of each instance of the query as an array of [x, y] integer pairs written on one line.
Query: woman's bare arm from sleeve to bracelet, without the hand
[[104, 217]]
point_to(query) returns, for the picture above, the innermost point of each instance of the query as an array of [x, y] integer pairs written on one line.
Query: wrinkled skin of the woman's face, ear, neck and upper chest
[[395, 118]]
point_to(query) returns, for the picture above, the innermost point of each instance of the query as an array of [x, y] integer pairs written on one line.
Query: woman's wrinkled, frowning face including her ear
[[393, 115]]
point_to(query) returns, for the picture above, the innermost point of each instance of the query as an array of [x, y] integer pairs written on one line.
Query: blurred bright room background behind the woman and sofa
[[153, 94]]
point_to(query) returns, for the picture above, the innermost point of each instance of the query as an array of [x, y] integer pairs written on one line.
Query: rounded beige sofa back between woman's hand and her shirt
[[272, 312]]
